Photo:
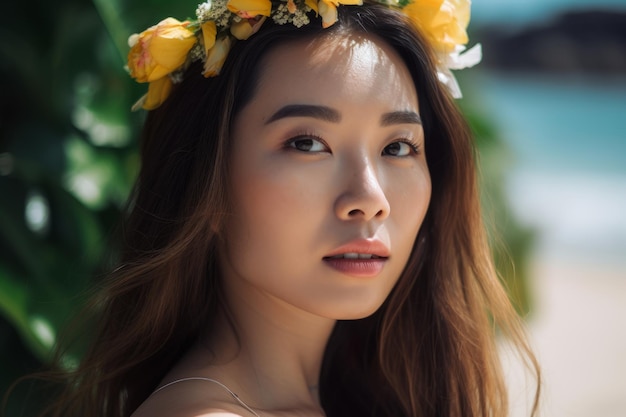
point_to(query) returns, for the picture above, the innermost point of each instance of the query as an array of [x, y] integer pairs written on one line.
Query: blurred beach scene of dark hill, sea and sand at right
[[553, 83]]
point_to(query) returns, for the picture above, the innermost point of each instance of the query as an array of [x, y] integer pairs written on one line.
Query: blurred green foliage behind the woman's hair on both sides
[[68, 157]]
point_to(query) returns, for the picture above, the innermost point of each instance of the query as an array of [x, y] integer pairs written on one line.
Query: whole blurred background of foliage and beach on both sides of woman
[[548, 106]]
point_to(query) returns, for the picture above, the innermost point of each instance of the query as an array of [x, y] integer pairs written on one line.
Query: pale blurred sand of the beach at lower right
[[578, 328]]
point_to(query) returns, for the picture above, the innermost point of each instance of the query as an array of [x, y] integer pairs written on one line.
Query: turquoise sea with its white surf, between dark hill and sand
[[568, 139]]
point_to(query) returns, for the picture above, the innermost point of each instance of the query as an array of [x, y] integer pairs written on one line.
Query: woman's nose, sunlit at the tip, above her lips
[[363, 196]]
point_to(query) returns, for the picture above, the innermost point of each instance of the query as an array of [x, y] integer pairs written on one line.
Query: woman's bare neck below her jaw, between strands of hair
[[272, 350]]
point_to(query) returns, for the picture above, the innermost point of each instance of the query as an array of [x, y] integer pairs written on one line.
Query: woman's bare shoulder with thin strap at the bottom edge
[[190, 399]]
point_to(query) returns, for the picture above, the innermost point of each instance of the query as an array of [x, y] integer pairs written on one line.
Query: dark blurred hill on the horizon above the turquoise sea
[[590, 42]]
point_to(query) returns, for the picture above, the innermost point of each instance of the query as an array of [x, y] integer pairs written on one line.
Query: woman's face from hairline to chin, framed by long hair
[[329, 179]]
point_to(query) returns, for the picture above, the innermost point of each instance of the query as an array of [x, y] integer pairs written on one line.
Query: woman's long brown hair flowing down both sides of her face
[[428, 351]]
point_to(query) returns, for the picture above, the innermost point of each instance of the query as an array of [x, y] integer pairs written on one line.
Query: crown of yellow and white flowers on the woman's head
[[160, 54]]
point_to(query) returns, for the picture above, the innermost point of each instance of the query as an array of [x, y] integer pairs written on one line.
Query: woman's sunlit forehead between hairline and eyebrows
[[346, 69]]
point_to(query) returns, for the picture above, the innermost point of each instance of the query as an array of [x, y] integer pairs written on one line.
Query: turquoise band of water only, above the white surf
[[560, 124]]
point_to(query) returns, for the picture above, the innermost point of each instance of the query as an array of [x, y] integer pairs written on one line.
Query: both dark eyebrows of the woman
[[329, 114]]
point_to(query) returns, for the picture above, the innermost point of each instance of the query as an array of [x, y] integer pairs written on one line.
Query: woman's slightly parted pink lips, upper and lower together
[[359, 267]]
